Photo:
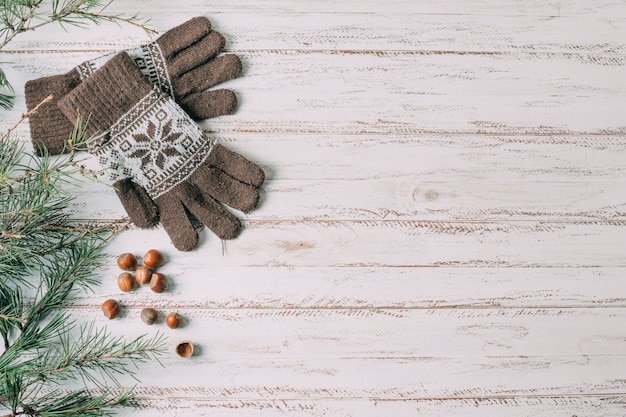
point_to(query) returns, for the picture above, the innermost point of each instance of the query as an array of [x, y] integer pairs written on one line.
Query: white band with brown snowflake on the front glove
[[156, 144]]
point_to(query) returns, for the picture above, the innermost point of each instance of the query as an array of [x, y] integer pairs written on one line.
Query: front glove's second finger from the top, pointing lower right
[[225, 188]]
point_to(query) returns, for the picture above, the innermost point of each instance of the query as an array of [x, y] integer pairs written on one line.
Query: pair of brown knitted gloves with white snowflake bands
[[140, 105]]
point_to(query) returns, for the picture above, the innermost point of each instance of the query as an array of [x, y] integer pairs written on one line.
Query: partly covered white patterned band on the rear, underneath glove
[[150, 60]]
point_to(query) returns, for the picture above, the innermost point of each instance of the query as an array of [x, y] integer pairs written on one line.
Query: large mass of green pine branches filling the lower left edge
[[45, 257]]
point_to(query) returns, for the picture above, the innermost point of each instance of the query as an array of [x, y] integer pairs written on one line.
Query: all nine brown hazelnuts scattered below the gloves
[[145, 274]]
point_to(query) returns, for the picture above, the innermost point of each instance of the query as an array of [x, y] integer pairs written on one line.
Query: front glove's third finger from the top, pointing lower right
[[211, 213]]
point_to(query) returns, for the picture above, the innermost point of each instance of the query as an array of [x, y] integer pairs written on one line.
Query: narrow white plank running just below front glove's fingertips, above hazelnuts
[[411, 244]]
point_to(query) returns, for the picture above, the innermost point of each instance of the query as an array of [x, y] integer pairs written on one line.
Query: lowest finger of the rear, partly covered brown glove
[[208, 104]]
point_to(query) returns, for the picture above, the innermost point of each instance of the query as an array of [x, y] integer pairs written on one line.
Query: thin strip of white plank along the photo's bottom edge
[[532, 406]]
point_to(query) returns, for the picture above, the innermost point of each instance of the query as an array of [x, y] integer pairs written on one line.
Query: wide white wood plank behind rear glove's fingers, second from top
[[405, 93]]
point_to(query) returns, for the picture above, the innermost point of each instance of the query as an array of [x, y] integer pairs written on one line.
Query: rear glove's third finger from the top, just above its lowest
[[216, 71]]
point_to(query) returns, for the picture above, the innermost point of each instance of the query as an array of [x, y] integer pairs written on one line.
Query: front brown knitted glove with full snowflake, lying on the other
[[151, 144]]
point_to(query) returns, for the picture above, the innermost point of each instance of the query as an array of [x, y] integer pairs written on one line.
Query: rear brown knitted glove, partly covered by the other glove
[[182, 62]]
